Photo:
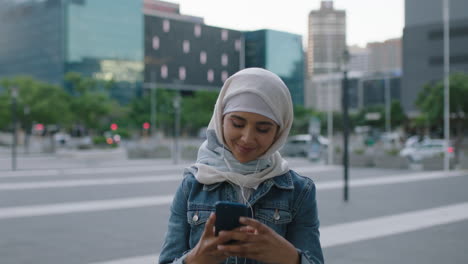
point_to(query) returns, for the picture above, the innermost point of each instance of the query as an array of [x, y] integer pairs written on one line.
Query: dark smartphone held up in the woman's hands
[[227, 215]]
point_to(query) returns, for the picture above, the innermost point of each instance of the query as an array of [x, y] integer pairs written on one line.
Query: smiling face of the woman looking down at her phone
[[248, 135]]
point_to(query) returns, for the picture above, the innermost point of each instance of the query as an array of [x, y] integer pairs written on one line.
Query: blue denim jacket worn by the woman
[[285, 203]]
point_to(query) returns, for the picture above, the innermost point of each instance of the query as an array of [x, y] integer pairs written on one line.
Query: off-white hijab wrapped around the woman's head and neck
[[215, 163]]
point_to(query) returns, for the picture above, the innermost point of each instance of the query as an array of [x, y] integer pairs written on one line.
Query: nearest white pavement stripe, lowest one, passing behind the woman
[[347, 233]]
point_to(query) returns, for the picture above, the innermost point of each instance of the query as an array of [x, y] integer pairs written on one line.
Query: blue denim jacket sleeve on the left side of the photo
[[176, 243]]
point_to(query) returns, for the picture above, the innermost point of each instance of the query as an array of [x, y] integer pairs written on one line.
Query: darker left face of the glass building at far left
[[32, 39]]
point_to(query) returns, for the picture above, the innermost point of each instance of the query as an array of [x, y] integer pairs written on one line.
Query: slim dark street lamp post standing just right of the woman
[[345, 98]]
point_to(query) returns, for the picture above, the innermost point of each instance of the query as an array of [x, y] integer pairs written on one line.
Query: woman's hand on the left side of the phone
[[206, 249]]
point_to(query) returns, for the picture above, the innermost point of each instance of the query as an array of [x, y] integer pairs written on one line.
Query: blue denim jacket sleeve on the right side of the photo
[[303, 232]]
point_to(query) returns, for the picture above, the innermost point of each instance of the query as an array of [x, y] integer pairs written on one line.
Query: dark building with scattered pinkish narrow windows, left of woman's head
[[187, 55]]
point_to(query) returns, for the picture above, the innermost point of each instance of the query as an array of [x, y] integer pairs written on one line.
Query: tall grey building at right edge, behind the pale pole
[[423, 45]]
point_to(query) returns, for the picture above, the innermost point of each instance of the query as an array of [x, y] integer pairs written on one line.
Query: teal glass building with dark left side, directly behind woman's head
[[281, 53]]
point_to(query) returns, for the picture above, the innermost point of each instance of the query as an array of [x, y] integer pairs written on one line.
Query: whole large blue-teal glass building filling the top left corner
[[101, 39]]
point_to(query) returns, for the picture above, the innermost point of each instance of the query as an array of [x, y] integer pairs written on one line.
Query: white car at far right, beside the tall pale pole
[[427, 148]]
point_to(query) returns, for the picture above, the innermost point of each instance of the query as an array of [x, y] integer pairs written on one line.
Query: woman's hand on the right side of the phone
[[258, 241]]
